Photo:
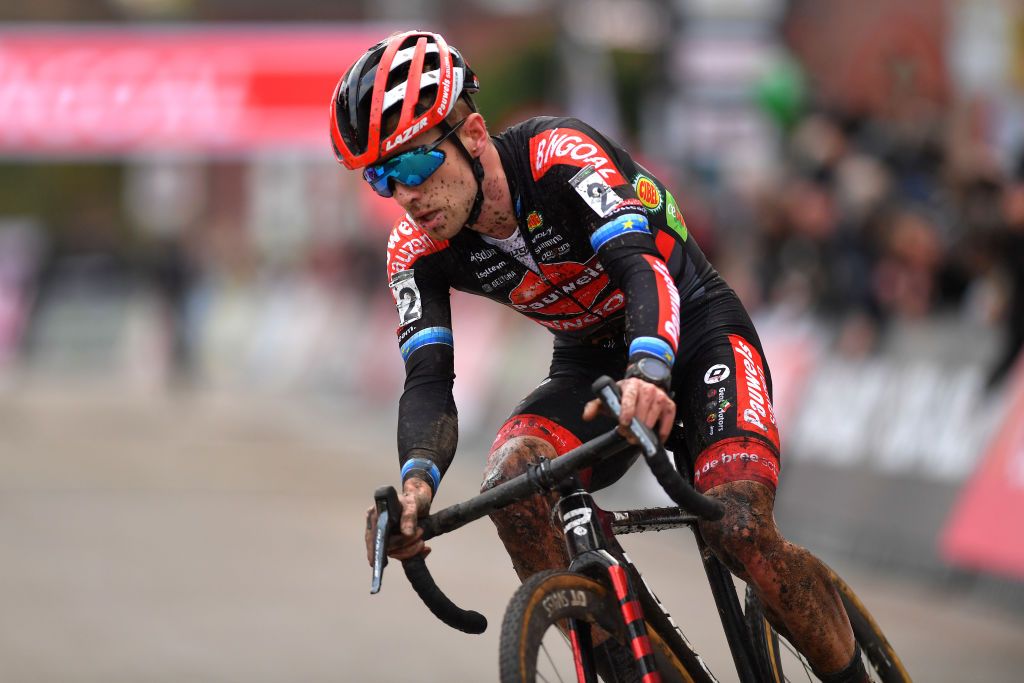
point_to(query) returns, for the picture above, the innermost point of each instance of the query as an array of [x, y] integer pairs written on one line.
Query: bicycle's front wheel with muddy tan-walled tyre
[[553, 617]]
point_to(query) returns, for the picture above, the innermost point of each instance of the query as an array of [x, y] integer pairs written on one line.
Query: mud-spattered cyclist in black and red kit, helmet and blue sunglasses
[[552, 219]]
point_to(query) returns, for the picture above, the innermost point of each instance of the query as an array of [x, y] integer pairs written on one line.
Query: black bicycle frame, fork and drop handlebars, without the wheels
[[587, 530]]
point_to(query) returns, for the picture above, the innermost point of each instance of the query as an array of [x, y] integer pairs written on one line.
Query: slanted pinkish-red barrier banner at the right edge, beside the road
[[986, 531]]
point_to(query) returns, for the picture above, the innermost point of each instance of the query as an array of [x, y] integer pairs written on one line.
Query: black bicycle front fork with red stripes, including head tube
[[587, 545]]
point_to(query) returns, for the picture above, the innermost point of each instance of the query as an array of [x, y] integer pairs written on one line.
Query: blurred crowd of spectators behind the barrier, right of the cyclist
[[867, 221]]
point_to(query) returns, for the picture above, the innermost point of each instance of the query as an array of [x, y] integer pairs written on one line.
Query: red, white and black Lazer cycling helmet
[[403, 87]]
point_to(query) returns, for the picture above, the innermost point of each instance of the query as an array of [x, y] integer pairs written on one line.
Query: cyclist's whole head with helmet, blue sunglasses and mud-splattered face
[[397, 114]]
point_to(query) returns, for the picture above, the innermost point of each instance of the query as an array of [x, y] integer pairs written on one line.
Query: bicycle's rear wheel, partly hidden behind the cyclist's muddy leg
[[881, 661]]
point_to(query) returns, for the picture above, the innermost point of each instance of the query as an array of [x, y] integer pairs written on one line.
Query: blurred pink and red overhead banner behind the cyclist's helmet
[[209, 91]]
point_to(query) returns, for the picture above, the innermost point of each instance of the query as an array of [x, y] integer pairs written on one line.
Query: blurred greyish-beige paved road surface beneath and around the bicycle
[[220, 539]]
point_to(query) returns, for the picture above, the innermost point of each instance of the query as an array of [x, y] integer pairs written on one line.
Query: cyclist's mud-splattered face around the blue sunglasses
[[441, 205]]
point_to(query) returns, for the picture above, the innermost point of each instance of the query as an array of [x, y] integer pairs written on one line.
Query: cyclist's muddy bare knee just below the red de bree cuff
[[747, 534]]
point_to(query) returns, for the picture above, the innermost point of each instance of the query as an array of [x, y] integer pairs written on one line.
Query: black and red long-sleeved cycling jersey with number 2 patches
[[605, 259]]
